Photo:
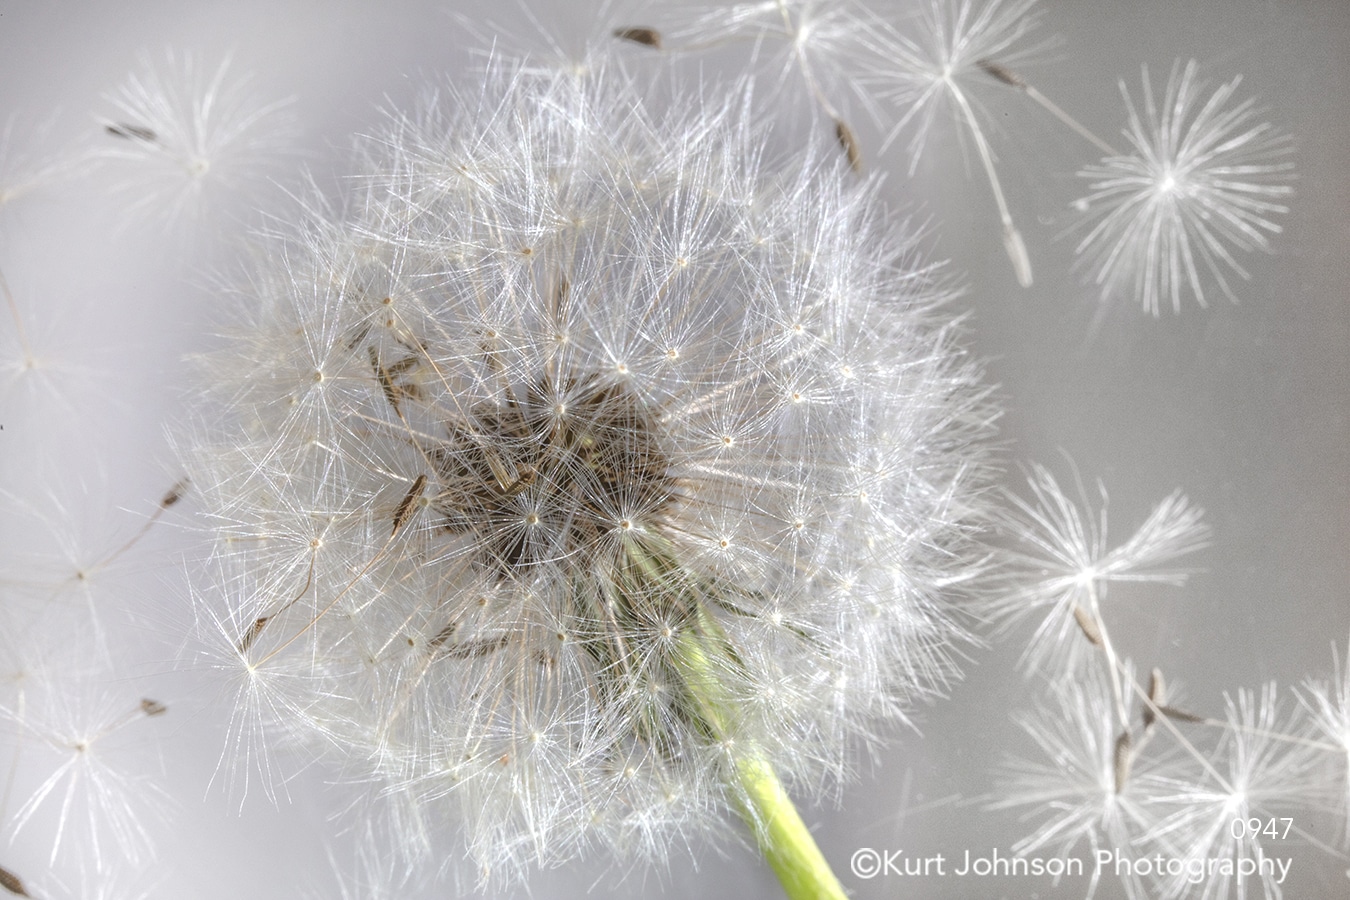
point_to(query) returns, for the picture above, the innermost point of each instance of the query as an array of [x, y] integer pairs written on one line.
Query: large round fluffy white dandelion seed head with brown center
[[588, 472]]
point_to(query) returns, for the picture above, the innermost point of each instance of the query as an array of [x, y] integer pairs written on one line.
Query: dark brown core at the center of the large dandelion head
[[551, 473]]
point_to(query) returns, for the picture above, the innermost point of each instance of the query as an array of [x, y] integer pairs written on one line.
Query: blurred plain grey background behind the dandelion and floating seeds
[[1243, 407]]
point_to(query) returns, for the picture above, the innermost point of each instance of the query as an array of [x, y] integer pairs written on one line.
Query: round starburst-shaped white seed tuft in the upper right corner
[[1204, 180]]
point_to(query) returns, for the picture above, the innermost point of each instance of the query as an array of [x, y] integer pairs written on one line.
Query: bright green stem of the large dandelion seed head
[[780, 832]]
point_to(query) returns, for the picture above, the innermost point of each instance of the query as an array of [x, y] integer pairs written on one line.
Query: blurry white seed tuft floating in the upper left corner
[[187, 136]]
